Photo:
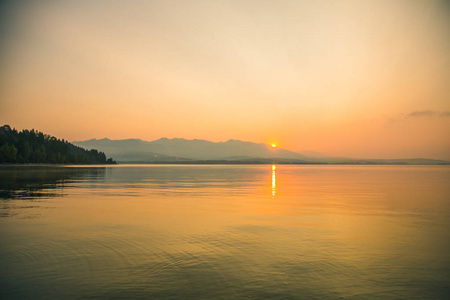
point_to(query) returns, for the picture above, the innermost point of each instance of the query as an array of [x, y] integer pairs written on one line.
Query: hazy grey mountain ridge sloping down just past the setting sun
[[181, 149]]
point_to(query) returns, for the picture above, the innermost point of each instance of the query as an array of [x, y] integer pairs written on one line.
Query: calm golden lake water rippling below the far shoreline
[[225, 232]]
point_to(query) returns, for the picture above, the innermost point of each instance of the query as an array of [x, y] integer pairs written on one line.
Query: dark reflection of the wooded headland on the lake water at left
[[41, 181]]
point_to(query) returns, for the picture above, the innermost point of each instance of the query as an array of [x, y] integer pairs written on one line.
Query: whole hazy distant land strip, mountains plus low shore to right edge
[[179, 150]]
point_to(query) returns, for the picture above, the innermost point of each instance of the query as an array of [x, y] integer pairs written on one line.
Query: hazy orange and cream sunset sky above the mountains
[[362, 79]]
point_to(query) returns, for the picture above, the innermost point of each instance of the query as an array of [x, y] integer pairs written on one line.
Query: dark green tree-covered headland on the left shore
[[35, 147]]
